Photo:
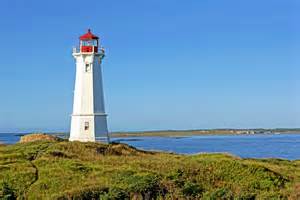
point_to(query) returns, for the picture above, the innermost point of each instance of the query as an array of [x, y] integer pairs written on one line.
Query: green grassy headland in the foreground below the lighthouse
[[74, 170]]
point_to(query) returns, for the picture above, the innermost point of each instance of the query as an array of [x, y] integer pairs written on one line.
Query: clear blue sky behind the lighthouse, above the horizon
[[169, 64]]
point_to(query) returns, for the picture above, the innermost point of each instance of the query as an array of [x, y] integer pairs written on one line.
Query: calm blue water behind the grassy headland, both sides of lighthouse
[[286, 146]]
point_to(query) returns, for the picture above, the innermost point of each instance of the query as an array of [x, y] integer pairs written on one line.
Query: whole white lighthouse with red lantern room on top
[[88, 119]]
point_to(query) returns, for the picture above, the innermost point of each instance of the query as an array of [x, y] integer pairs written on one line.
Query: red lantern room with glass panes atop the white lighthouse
[[89, 42]]
